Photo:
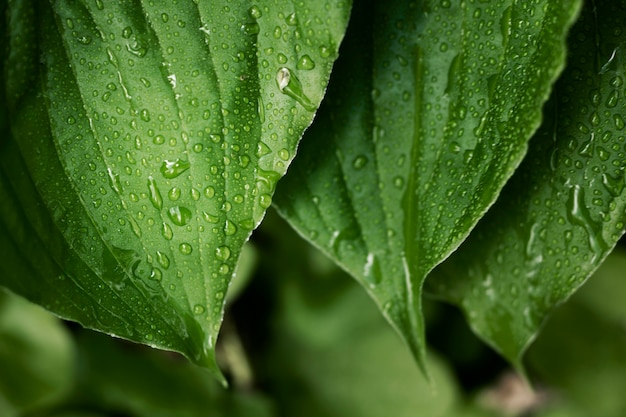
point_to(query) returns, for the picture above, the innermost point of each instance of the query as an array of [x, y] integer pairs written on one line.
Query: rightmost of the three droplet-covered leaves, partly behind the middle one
[[563, 211]]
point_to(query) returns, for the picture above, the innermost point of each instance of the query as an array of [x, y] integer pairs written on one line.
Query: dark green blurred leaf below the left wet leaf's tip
[[129, 380]]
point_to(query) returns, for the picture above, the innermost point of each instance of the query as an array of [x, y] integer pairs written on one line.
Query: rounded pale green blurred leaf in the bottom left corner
[[36, 357]]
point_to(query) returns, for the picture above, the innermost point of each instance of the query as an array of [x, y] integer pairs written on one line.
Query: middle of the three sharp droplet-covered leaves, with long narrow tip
[[413, 147]]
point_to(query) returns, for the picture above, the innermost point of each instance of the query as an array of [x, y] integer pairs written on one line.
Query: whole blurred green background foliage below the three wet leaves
[[301, 338]]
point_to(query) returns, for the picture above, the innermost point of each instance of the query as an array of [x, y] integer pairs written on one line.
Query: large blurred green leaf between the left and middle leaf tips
[[330, 352]]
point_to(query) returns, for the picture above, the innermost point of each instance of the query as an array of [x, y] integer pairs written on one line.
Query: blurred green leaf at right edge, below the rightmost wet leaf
[[581, 352]]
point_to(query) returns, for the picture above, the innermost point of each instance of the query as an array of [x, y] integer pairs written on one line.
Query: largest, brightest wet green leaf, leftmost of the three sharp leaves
[[146, 142]]
